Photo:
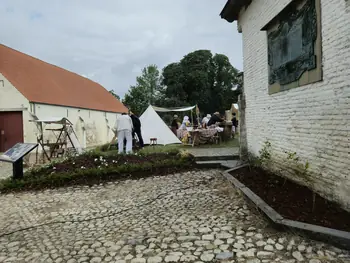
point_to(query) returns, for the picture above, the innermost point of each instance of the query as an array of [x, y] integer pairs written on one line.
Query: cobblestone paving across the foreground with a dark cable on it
[[189, 217]]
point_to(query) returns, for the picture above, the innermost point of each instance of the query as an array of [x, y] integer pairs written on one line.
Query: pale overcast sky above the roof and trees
[[110, 41]]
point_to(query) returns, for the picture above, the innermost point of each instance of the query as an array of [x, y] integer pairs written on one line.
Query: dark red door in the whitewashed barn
[[11, 129]]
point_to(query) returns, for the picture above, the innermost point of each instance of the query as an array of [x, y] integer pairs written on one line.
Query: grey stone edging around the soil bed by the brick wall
[[329, 235]]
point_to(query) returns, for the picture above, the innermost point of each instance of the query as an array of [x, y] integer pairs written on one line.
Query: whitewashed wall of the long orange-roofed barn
[[95, 122]]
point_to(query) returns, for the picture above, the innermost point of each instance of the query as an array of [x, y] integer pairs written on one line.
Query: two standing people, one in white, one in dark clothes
[[126, 127]]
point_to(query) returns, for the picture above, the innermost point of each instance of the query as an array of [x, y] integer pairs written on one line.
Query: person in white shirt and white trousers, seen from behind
[[123, 126]]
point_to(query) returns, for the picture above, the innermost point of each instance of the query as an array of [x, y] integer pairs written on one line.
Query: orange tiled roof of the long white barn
[[42, 82]]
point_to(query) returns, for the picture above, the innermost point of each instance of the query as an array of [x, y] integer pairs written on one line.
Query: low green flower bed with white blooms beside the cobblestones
[[97, 167]]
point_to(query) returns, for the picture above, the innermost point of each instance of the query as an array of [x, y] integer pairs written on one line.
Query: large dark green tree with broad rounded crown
[[203, 79]]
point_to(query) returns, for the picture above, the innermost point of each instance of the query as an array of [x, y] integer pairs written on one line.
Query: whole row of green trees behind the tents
[[198, 78]]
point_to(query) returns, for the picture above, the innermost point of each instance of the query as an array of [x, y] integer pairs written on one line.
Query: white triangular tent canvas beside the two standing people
[[152, 126]]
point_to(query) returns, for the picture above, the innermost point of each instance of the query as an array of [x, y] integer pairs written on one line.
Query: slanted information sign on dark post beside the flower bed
[[15, 156]]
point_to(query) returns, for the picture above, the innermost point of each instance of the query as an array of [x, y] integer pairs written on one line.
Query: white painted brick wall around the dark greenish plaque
[[313, 120]]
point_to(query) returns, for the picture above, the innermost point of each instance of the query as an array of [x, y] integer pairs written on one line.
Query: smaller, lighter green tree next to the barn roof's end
[[146, 91]]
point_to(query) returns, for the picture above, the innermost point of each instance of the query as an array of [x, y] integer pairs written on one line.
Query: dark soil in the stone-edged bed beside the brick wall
[[293, 201]]
